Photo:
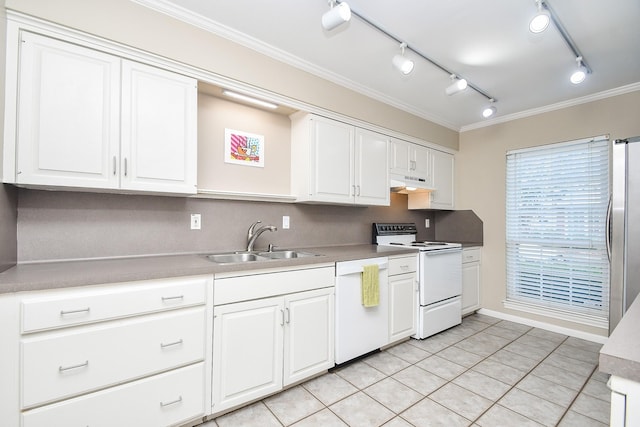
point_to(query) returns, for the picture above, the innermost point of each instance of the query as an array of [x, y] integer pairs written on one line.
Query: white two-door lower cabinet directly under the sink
[[263, 345]]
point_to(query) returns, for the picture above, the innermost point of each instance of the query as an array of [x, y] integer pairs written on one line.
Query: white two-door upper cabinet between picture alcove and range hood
[[333, 162]]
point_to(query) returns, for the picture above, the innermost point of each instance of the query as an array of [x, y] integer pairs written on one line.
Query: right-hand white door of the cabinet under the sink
[[308, 334]]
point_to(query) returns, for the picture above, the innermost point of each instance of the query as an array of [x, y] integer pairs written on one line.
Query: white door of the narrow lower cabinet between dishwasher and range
[[402, 306]]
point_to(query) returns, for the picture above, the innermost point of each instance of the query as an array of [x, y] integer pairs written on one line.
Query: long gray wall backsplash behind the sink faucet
[[59, 225]]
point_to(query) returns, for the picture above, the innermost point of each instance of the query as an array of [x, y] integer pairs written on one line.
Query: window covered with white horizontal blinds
[[557, 199]]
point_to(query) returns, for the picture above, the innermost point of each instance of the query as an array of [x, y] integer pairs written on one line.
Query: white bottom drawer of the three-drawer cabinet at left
[[162, 400]]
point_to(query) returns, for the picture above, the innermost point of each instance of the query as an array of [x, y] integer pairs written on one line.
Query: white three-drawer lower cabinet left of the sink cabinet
[[117, 354]]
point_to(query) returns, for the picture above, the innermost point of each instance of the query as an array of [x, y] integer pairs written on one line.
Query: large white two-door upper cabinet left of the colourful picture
[[88, 119]]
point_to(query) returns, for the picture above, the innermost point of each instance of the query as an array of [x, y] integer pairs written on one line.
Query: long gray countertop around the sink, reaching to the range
[[65, 274]]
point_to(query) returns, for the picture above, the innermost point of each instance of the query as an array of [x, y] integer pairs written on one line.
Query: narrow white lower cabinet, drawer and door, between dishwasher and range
[[403, 297]]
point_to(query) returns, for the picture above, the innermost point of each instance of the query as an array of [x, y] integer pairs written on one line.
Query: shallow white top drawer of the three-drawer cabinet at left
[[62, 308]]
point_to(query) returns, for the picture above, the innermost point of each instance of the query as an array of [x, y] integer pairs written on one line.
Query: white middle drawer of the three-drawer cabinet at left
[[62, 364]]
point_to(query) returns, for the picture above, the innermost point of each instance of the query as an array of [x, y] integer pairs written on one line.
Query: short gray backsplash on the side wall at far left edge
[[8, 231]]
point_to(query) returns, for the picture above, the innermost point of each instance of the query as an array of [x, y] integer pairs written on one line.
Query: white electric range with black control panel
[[439, 276]]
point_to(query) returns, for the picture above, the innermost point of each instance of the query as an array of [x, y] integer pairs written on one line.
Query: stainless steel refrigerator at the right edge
[[624, 223]]
